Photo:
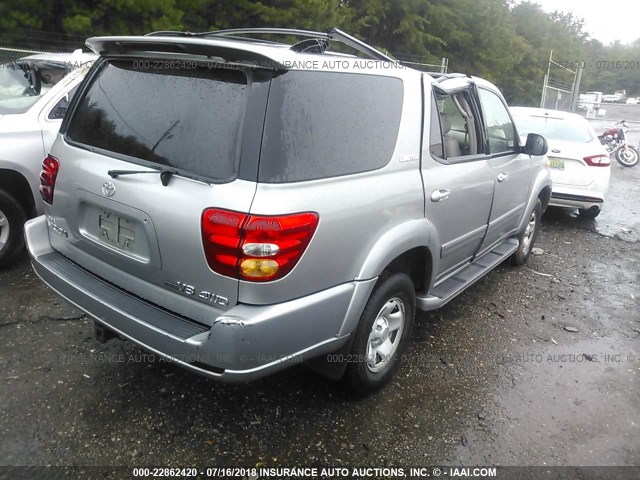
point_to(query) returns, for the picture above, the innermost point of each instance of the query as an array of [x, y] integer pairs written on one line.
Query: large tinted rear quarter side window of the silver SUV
[[326, 124]]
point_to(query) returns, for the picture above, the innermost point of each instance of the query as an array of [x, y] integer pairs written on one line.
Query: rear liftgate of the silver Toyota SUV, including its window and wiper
[[124, 221]]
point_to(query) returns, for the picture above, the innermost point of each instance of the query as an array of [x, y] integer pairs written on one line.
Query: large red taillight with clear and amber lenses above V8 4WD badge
[[256, 248]]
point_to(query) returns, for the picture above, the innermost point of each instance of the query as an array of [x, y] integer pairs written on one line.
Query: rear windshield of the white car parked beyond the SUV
[[567, 130]]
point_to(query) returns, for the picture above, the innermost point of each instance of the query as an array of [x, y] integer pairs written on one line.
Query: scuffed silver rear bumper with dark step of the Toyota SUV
[[245, 343]]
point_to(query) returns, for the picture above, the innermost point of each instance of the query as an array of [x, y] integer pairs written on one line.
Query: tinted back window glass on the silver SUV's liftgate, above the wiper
[[187, 119]]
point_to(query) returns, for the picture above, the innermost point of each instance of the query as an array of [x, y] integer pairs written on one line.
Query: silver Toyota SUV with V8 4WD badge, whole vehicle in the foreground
[[239, 206]]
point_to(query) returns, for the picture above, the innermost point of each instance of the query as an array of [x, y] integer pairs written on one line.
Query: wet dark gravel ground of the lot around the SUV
[[531, 366]]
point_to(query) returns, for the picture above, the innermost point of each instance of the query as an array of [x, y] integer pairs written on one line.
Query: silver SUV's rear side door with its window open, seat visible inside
[[457, 178]]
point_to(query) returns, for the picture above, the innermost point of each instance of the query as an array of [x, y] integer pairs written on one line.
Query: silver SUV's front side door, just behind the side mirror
[[512, 170]]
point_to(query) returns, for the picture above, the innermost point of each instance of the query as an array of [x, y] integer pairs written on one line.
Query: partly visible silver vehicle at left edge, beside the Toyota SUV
[[34, 95]]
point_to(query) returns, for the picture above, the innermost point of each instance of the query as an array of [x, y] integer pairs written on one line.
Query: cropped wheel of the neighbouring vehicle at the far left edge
[[12, 218]]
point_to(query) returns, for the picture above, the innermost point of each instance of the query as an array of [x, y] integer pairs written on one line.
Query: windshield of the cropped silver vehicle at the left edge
[[24, 81]]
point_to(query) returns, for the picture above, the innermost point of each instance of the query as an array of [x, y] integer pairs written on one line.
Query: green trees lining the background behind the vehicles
[[505, 41]]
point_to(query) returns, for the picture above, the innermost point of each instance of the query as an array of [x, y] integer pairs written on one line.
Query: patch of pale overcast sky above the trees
[[606, 21]]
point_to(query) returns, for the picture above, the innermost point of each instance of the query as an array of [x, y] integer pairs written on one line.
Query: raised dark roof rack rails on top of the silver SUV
[[331, 34]]
